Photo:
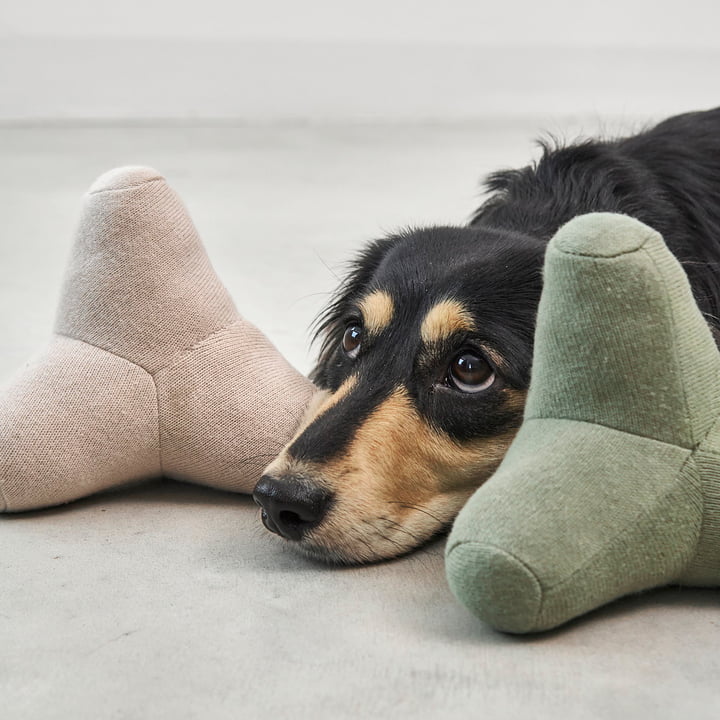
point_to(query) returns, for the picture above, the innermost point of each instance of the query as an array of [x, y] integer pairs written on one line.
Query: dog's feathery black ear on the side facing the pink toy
[[329, 326]]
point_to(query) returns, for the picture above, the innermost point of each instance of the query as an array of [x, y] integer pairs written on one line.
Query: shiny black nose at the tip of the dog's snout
[[290, 506]]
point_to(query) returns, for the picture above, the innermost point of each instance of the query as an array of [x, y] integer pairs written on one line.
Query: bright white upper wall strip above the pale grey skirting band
[[544, 23]]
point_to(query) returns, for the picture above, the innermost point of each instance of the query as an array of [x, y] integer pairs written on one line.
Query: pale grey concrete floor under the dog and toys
[[171, 601]]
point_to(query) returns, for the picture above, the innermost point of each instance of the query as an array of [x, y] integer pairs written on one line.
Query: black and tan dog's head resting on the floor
[[423, 369]]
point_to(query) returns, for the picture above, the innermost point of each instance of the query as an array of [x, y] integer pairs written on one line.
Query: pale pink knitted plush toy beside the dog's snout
[[151, 371]]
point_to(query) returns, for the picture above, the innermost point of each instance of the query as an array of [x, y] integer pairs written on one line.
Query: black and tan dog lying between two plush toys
[[427, 346]]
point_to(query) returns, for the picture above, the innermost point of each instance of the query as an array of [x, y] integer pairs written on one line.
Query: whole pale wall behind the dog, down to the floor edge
[[334, 59]]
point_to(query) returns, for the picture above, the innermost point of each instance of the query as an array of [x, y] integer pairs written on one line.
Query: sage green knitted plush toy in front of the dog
[[612, 485]]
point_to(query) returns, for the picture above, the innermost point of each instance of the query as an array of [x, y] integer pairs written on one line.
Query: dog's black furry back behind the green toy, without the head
[[668, 177]]
